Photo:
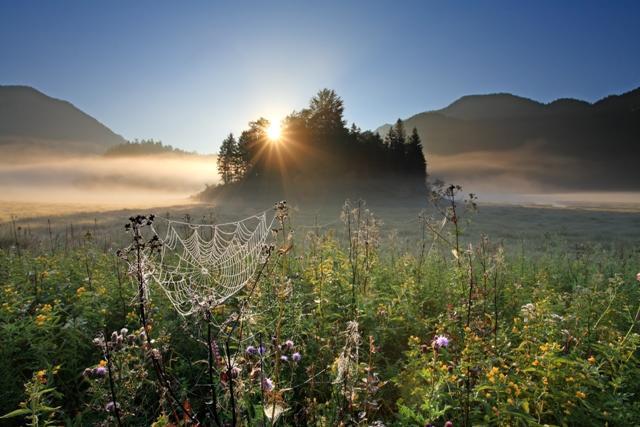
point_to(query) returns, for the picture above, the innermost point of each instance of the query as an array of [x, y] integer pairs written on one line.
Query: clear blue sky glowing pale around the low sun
[[188, 73]]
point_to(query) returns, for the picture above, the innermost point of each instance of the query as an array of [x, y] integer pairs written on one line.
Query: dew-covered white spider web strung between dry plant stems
[[202, 265]]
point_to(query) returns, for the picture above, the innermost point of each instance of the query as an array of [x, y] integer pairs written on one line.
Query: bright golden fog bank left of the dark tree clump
[[104, 182]]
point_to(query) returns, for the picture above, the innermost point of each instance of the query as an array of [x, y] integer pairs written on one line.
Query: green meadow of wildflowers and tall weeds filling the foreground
[[504, 316]]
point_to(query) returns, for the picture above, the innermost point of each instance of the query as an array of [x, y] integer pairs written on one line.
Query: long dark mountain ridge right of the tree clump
[[566, 144]]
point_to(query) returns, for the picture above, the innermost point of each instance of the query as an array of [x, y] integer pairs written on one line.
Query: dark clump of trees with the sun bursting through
[[316, 143]]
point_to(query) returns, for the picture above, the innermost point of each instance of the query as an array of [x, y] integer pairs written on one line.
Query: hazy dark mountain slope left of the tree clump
[[33, 121]]
